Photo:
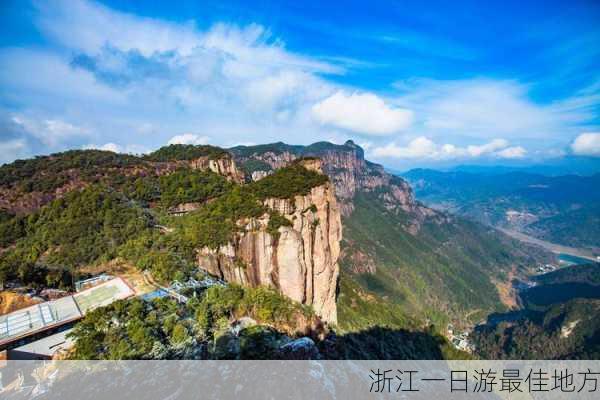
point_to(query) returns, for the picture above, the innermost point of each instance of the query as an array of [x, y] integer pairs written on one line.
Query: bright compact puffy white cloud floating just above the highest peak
[[362, 113]]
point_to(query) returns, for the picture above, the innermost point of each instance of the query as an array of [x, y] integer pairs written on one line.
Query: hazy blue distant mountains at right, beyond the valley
[[562, 209]]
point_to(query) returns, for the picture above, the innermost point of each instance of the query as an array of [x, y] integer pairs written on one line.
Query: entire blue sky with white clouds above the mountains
[[416, 84]]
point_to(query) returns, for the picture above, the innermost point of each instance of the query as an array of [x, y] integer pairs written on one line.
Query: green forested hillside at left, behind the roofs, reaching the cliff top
[[115, 206]]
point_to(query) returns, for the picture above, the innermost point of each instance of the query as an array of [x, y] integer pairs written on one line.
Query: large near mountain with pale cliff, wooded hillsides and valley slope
[[313, 240]]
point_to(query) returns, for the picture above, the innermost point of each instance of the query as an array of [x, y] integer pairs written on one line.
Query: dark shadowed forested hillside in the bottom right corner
[[560, 320]]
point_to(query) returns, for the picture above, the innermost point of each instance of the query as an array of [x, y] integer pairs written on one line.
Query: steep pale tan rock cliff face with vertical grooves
[[300, 260]]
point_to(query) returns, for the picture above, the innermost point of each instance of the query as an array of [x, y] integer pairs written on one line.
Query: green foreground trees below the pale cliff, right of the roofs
[[199, 329]]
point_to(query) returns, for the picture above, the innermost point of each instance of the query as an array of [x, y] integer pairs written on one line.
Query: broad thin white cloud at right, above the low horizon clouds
[[488, 108]]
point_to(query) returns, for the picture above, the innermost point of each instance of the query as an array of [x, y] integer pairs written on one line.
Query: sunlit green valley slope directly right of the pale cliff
[[430, 273]]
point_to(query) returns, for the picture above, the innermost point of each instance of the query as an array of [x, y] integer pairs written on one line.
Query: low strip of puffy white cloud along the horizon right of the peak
[[426, 149]]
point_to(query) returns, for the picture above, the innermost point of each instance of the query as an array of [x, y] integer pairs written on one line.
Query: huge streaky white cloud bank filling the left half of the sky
[[120, 72]]
